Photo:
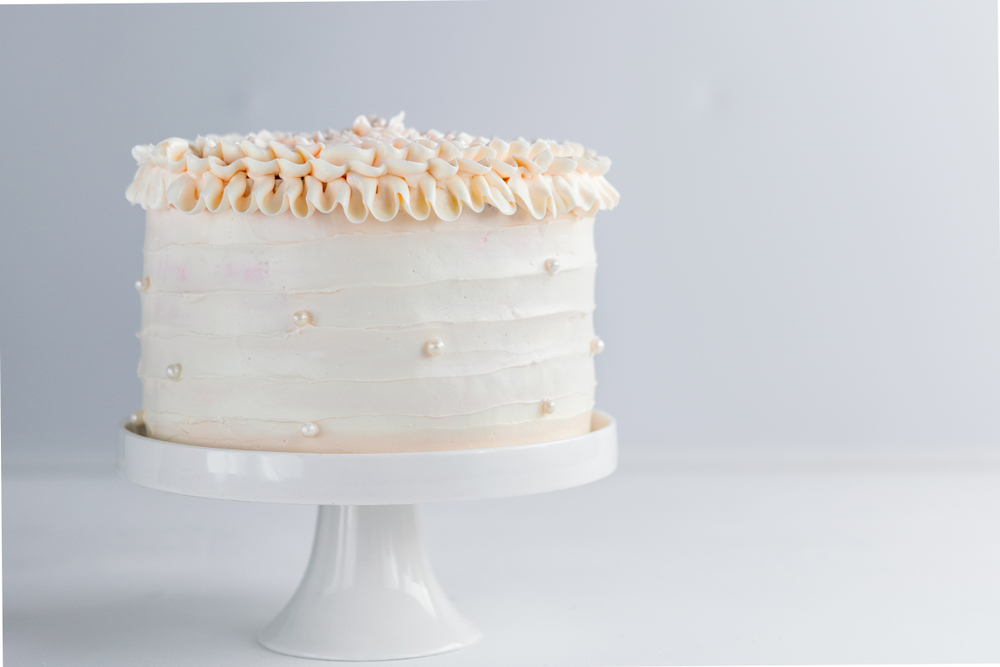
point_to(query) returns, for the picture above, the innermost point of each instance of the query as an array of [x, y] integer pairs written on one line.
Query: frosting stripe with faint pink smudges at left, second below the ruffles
[[345, 260]]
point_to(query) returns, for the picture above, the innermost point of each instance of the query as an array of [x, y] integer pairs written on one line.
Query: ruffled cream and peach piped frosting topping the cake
[[374, 167]]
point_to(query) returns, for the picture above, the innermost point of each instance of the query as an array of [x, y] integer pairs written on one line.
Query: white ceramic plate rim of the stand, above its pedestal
[[369, 478]]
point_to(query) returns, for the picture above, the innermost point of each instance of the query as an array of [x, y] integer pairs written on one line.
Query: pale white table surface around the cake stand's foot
[[669, 561]]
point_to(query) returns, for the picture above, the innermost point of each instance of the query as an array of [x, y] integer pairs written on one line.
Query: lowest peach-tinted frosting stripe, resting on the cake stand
[[334, 437]]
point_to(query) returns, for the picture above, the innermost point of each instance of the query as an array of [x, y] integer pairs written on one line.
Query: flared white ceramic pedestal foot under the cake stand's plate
[[368, 592]]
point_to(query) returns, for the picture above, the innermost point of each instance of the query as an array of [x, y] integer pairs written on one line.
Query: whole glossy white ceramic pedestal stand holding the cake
[[368, 592]]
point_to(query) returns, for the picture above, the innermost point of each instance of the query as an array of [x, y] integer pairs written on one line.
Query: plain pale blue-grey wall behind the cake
[[805, 255]]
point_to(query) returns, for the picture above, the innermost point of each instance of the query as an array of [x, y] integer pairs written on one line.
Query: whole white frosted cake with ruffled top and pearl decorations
[[372, 290]]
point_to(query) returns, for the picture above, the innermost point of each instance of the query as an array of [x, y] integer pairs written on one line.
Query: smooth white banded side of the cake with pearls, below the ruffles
[[319, 335]]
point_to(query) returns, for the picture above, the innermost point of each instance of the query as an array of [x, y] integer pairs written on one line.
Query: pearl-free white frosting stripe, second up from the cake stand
[[429, 397]]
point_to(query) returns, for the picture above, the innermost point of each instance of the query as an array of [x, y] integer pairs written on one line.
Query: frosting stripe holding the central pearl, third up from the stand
[[314, 353]]
